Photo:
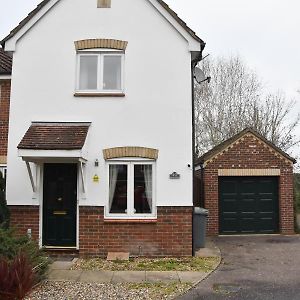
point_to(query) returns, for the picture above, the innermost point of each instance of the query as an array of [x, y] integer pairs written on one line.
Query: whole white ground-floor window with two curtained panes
[[131, 190]]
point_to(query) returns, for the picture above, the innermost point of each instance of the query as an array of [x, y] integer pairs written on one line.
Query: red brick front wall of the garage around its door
[[250, 153]]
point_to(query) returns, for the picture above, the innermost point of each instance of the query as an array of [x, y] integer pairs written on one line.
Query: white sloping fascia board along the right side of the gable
[[193, 44]]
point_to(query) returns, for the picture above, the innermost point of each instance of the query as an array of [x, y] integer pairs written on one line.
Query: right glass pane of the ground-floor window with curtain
[[143, 189]]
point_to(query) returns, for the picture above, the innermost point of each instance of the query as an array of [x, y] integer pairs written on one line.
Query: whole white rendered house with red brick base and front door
[[100, 138]]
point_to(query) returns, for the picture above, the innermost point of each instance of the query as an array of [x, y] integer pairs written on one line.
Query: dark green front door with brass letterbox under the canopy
[[60, 205]]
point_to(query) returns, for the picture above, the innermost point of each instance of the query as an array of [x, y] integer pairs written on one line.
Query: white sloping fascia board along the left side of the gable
[[10, 45]]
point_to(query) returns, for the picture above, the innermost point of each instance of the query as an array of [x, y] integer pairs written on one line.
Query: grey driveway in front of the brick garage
[[256, 267]]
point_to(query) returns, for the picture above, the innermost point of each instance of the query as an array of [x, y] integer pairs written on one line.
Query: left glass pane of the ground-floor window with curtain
[[118, 175]]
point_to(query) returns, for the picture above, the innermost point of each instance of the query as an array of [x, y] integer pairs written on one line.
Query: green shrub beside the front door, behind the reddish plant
[[11, 246]]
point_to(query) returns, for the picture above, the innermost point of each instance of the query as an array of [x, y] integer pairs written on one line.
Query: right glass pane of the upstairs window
[[112, 73]]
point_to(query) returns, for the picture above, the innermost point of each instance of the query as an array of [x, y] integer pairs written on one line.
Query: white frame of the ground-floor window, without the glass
[[130, 215]]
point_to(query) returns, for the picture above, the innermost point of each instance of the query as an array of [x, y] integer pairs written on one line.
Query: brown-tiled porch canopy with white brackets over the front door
[[54, 142]]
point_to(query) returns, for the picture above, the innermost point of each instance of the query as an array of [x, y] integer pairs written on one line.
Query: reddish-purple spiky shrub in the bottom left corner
[[16, 278]]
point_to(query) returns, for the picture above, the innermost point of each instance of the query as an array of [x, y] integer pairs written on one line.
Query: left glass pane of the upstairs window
[[88, 72]]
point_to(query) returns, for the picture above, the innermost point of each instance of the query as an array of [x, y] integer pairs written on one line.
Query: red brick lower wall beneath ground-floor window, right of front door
[[170, 235]]
